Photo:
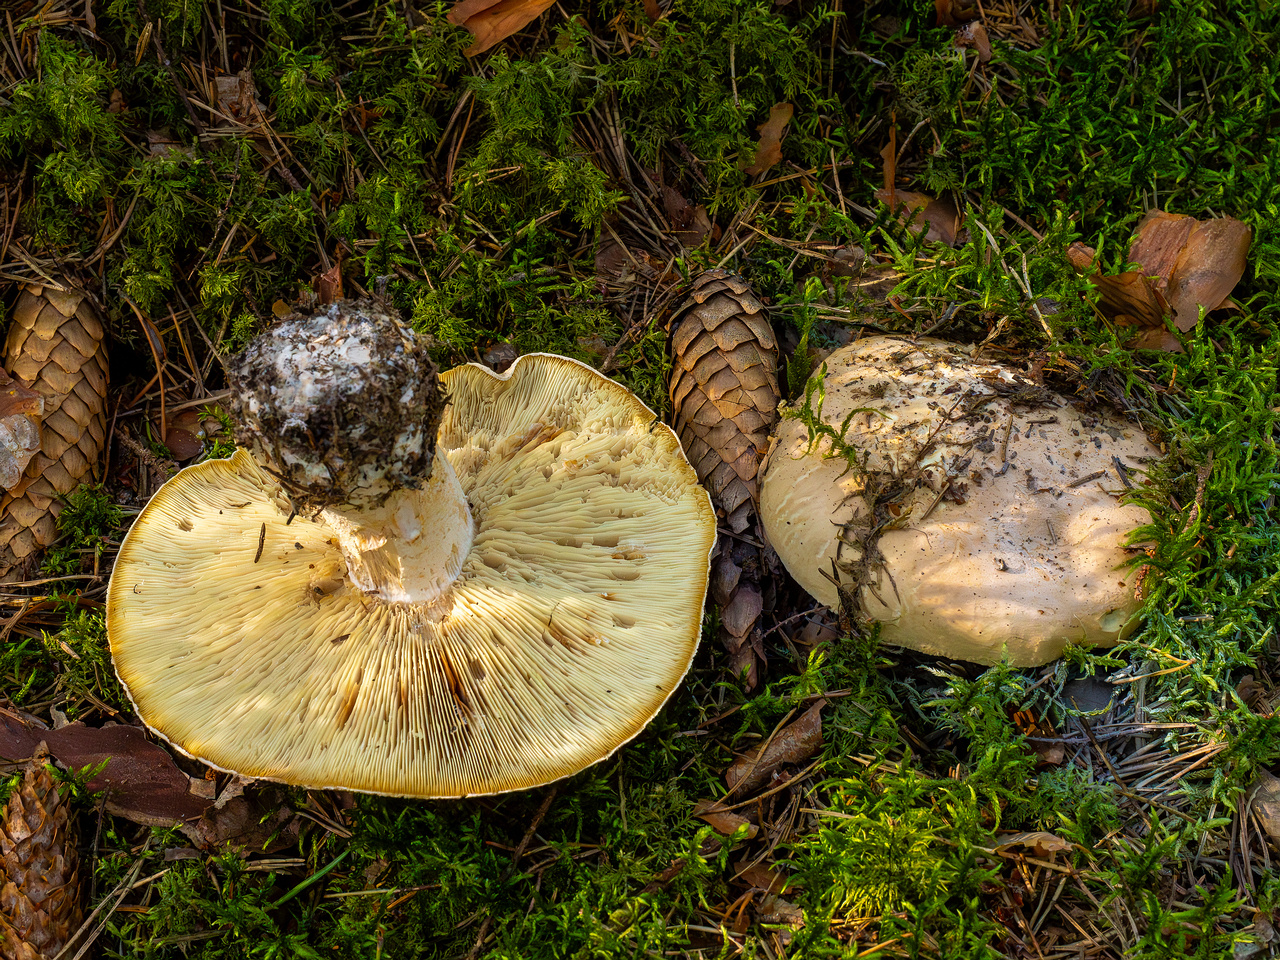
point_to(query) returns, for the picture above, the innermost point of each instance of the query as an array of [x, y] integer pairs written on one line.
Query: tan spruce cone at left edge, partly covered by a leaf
[[57, 348]]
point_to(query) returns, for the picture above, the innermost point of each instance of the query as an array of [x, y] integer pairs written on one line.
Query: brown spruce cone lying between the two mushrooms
[[725, 390]]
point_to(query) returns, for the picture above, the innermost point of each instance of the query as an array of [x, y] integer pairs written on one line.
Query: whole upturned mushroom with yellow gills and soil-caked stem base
[[414, 592]]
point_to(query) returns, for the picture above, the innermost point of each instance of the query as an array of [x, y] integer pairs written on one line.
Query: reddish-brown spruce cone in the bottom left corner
[[40, 907]]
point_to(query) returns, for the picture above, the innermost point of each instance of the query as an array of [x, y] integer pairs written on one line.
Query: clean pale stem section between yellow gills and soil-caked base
[[410, 548]]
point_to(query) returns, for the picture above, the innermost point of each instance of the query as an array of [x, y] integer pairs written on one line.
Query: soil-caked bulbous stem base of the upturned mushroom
[[342, 405]]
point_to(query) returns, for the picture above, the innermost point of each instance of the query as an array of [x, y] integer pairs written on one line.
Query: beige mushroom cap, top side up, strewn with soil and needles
[[1026, 564]]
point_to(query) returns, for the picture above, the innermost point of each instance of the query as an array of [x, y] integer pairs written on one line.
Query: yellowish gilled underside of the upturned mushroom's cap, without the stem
[[575, 618]]
